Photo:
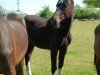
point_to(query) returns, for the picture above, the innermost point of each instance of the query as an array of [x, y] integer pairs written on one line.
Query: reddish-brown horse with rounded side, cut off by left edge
[[13, 44]]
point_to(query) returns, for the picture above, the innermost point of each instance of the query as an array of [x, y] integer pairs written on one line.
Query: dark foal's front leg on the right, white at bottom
[[62, 53]]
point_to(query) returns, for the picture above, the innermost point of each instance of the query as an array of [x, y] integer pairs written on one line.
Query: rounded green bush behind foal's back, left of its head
[[46, 12]]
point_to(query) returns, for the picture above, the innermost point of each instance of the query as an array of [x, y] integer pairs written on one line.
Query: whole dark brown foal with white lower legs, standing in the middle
[[53, 34]]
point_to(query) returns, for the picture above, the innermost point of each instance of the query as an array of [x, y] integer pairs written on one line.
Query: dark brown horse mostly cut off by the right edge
[[97, 49]]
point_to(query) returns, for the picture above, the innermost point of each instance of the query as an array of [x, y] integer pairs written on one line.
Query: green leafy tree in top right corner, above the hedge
[[92, 3]]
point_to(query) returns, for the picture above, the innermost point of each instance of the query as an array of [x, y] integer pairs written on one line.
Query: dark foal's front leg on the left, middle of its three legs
[[54, 61]]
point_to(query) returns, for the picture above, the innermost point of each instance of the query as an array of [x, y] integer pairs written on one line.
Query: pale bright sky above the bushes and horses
[[32, 6]]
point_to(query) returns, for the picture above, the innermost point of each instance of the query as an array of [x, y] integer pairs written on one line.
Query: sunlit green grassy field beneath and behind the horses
[[79, 58]]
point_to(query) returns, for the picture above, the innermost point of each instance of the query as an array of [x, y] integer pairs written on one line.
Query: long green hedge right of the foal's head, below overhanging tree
[[86, 13]]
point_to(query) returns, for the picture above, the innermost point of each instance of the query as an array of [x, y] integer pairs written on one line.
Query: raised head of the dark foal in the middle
[[64, 10]]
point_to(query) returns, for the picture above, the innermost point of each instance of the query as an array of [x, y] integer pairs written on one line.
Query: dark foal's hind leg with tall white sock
[[27, 59]]
